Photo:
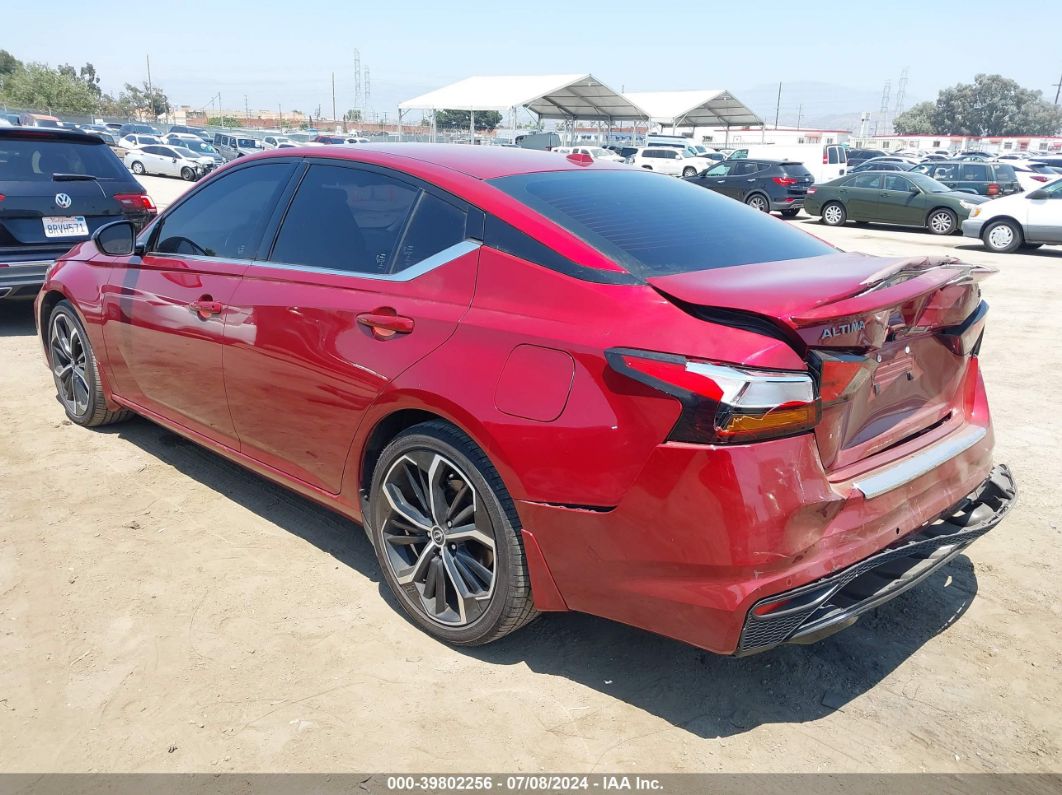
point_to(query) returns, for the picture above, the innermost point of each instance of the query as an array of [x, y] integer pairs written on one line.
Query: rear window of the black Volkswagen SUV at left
[[38, 160]]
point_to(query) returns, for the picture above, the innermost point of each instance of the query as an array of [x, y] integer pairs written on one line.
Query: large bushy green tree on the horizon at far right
[[992, 106]]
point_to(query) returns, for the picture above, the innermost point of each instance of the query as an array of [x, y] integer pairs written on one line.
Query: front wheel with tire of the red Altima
[[76, 371]]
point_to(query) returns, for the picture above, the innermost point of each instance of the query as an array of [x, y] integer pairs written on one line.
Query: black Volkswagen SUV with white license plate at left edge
[[59, 187]]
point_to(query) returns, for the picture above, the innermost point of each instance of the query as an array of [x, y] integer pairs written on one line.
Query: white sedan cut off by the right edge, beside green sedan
[[1019, 221]]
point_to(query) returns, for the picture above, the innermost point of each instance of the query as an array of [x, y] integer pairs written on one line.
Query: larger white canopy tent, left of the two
[[561, 97]]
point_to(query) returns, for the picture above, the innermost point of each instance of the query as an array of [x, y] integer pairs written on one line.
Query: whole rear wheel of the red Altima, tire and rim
[[448, 538]]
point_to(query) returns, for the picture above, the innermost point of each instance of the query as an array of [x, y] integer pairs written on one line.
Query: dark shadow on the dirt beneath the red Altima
[[705, 694]]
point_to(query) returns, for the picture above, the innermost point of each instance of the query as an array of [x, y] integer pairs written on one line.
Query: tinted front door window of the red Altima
[[227, 218]]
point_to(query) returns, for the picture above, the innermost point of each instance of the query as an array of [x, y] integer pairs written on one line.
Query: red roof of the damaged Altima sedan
[[481, 163]]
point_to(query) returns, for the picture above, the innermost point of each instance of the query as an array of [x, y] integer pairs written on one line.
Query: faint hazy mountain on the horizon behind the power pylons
[[826, 106]]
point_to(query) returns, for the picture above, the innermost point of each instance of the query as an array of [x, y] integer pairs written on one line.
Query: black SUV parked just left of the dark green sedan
[[766, 185]]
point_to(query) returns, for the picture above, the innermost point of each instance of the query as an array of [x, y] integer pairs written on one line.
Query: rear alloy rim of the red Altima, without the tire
[[439, 541]]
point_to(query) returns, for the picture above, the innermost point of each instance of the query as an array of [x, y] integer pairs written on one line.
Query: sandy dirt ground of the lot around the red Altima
[[162, 610]]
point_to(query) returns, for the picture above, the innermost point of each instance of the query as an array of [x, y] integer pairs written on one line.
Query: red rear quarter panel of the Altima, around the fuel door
[[593, 453]]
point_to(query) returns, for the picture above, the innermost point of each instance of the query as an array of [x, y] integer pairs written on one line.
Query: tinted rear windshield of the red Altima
[[655, 226]]
